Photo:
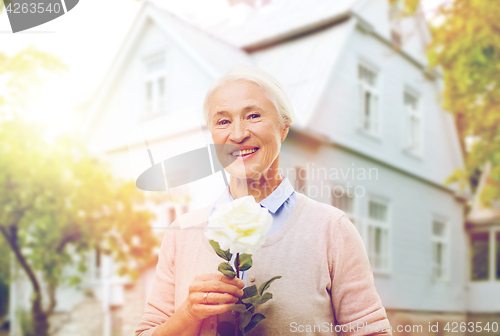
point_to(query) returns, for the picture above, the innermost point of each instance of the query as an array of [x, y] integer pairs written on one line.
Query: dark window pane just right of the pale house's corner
[[480, 249]]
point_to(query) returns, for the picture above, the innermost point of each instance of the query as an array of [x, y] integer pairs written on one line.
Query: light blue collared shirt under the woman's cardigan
[[279, 203]]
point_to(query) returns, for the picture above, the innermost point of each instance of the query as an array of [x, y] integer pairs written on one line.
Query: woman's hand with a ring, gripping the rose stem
[[212, 294]]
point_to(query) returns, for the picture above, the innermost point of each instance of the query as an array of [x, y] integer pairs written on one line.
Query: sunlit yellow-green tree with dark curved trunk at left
[[56, 201]]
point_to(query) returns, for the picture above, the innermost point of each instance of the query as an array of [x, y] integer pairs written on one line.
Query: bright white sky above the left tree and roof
[[87, 39]]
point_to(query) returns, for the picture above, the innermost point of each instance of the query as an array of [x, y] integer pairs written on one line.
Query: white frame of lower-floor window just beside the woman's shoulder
[[373, 224]]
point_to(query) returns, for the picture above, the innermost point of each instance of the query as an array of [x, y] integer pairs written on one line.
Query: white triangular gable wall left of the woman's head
[[125, 109]]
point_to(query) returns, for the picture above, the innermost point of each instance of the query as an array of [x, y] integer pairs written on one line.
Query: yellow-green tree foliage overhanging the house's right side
[[466, 46]]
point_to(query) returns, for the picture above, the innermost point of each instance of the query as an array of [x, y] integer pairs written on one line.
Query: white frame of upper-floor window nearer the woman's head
[[370, 125]]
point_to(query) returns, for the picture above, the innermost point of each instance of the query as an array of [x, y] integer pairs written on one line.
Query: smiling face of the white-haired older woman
[[241, 115]]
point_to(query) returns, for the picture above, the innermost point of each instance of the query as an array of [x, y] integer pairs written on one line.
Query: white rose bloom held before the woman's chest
[[240, 226]]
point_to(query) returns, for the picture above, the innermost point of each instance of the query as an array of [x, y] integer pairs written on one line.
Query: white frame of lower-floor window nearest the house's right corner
[[440, 272]]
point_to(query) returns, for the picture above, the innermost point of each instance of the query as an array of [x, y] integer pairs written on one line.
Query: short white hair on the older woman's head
[[273, 89]]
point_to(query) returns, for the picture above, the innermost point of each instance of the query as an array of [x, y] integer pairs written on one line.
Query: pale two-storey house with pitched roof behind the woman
[[370, 137]]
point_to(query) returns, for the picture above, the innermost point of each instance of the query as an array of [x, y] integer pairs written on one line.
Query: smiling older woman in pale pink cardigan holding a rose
[[326, 283]]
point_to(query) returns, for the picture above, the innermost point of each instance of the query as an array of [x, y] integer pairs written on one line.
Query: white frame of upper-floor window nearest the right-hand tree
[[413, 115]]
